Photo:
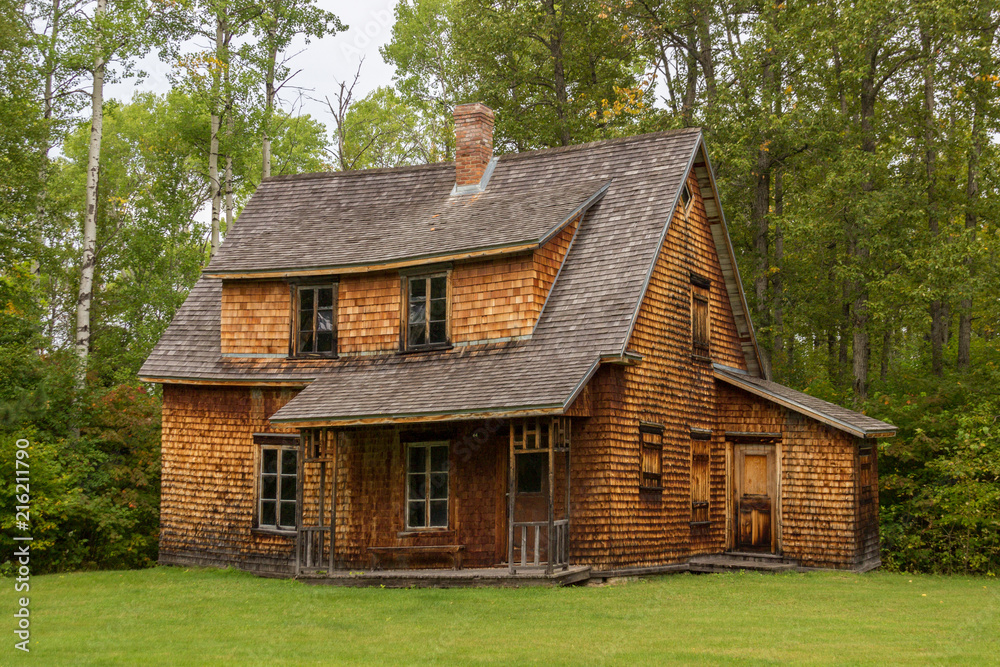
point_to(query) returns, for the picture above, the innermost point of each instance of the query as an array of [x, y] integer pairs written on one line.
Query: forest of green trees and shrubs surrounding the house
[[855, 144]]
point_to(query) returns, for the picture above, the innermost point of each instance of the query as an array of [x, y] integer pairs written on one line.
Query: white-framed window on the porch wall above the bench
[[427, 470]]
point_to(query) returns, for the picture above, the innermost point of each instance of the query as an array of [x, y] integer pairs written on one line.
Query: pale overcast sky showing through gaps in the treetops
[[322, 63]]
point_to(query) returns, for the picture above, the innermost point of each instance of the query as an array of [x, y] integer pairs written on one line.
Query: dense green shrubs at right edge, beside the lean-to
[[940, 478]]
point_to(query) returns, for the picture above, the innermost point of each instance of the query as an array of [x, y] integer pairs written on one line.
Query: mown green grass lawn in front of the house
[[196, 616]]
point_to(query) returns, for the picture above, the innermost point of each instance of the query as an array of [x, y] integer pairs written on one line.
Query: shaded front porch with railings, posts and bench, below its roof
[[391, 505]]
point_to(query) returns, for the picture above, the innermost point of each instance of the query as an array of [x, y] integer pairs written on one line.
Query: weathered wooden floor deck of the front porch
[[434, 578]]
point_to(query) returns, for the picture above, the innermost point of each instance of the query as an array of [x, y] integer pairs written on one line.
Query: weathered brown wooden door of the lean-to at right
[[755, 498]]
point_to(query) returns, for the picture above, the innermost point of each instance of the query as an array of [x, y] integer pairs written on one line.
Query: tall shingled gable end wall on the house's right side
[[637, 528]]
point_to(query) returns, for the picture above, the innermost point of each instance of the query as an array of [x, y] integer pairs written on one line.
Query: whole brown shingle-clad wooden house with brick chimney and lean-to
[[540, 362]]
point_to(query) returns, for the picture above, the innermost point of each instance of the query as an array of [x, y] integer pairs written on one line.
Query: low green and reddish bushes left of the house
[[94, 501]]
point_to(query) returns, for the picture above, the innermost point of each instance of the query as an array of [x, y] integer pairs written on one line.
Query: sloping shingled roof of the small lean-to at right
[[831, 414]]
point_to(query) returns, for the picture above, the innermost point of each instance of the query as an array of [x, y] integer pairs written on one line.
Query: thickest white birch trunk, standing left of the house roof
[[86, 296]]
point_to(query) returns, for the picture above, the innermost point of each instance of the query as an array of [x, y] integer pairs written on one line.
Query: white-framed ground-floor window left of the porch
[[277, 485]]
